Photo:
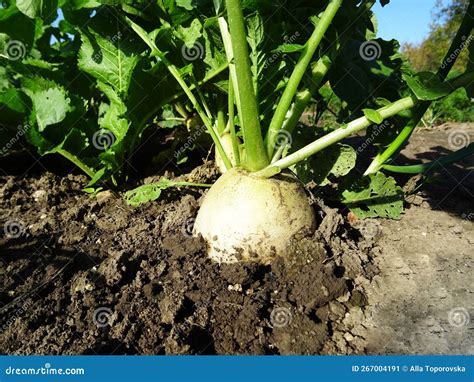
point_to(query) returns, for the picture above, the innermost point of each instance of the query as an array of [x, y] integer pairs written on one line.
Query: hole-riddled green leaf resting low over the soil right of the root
[[375, 195]]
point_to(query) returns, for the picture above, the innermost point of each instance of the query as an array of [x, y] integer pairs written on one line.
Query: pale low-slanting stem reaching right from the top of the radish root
[[335, 136]]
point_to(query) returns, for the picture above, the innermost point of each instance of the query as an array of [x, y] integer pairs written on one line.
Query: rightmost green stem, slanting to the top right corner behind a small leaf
[[444, 69]]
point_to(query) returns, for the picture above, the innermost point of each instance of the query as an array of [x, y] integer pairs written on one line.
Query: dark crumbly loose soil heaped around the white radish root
[[84, 275]]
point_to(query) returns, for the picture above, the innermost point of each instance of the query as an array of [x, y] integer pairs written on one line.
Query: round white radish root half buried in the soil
[[245, 218]]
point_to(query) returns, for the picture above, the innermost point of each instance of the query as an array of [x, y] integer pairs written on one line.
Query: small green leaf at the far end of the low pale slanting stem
[[427, 86]]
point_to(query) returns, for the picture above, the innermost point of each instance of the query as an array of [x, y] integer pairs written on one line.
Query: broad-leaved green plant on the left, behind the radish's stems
[[84, 85]]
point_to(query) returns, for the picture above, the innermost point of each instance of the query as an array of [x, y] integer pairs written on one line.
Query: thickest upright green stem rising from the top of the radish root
[[256, 157]]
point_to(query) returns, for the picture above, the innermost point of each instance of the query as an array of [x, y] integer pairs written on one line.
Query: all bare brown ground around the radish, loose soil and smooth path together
[[94, 276]]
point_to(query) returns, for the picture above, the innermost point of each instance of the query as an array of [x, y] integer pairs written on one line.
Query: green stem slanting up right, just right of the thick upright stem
[[298, 73]]
